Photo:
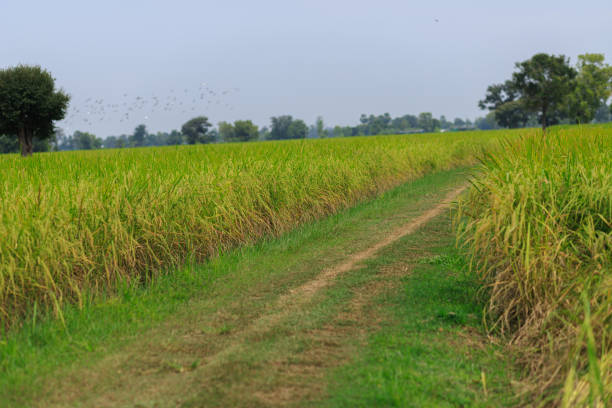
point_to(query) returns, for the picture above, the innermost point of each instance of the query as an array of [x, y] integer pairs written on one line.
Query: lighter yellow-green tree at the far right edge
[[592, 90]]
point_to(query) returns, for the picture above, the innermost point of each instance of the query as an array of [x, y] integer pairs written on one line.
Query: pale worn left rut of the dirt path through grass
[[166, 370]]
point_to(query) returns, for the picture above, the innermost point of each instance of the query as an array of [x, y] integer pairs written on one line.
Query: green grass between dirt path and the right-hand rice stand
[[430, 350]]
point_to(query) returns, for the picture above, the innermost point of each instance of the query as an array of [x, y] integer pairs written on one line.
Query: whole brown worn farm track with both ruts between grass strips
[[170, 368]]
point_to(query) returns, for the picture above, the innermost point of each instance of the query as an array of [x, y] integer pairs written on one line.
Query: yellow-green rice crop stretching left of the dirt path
[[73, 224]]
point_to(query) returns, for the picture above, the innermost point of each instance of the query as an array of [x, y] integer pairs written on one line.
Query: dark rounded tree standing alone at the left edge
[[29, 104]]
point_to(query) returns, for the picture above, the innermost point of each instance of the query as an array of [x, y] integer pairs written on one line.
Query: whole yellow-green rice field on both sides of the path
[[537, 226]]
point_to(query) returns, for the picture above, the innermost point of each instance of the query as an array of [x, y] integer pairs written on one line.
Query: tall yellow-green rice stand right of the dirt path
[[538, 225]]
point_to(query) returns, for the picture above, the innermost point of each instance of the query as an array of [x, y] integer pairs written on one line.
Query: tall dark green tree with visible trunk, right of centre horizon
[[544, 83]]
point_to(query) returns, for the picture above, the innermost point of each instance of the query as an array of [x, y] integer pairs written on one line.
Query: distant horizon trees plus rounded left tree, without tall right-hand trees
[[31, 119]]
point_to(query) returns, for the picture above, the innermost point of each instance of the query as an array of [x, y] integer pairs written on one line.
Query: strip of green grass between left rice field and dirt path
[[243, 282]]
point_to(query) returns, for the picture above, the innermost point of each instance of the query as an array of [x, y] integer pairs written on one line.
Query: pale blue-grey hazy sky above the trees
[[161, 63]]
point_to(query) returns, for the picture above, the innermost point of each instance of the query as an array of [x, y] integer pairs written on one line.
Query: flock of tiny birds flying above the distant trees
[[137, 108]]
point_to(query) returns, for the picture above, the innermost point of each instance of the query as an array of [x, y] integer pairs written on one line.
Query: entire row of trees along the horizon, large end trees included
[[543, 91]]
